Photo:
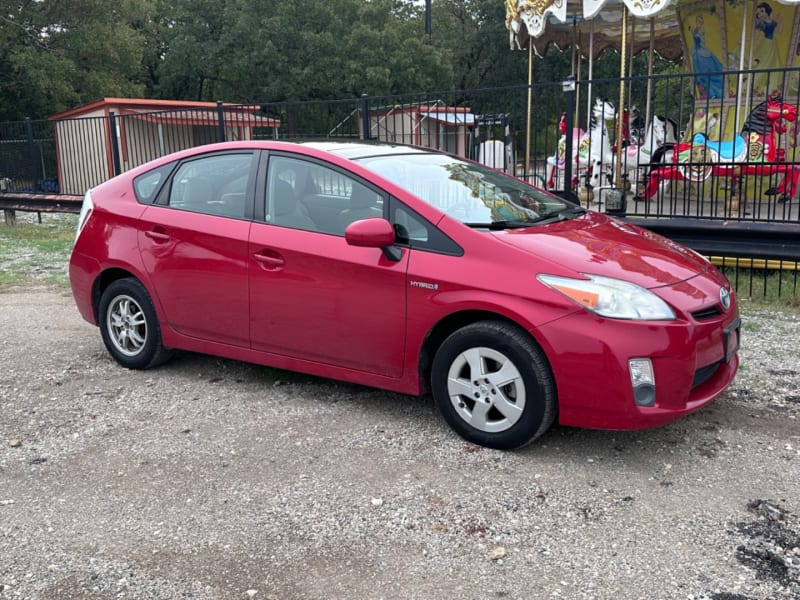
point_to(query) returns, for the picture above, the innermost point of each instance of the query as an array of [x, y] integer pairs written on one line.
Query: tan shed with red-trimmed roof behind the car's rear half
[[143, 130]]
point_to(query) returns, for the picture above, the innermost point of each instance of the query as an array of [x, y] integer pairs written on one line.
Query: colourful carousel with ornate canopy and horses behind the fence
[[741, 70]]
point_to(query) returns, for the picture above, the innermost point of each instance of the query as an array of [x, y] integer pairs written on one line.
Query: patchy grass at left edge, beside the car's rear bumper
[[33, 252]]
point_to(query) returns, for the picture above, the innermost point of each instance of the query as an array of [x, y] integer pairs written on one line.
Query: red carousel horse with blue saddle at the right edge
[[754, 152]]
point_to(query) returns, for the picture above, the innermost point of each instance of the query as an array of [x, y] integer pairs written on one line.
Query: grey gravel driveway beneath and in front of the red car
[[209, 478]]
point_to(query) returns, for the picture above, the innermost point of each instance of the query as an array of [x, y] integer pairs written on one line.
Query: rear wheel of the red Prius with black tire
[[129, 325]]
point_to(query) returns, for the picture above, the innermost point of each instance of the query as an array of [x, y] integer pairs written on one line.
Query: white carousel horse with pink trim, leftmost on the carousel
[[592, 149]]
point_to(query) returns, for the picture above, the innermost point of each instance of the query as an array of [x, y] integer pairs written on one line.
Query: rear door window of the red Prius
[[215, 184]]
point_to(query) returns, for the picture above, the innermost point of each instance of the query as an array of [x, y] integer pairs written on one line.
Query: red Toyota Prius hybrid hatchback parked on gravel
[[409, 270]]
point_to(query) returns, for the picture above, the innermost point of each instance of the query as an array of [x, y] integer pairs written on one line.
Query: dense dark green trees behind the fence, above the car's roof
[[255, 51]]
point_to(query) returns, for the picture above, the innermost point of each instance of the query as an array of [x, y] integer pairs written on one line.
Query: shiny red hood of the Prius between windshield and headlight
[[596, 244]]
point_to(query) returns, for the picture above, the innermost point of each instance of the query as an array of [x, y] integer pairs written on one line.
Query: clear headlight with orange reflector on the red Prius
[[611, 298]]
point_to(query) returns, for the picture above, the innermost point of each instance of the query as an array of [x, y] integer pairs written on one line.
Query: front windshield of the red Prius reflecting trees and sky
[[473, 194]]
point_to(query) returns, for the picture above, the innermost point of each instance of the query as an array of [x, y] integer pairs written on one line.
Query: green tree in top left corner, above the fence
[[55, 55]]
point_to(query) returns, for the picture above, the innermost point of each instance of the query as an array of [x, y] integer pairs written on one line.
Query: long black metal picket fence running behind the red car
[[640, 164]]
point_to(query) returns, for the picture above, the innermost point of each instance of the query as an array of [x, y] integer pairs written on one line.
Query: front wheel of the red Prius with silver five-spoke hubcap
[[498, 411]]
